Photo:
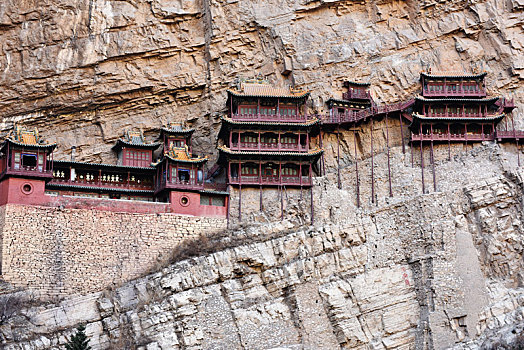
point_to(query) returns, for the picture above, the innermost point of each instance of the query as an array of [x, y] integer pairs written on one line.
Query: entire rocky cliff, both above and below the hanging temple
[[438, 270]]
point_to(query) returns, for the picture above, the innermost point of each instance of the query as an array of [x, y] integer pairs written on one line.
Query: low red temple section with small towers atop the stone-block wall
[[173, 176]]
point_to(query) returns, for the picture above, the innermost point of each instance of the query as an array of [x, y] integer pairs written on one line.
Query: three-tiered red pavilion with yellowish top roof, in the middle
[[267, 135]]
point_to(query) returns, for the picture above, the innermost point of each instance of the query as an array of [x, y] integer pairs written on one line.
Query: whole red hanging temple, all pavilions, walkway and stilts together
[[267, 141]]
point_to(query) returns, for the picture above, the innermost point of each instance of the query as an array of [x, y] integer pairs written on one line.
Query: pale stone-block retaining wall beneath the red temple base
[[60, 251]]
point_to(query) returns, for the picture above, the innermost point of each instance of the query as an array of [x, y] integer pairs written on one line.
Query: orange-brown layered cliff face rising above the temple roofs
[[84, 70]]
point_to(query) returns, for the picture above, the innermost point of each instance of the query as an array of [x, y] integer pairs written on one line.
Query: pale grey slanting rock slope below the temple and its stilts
[[438, 270]]
